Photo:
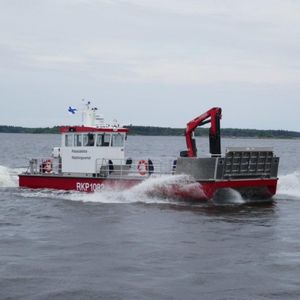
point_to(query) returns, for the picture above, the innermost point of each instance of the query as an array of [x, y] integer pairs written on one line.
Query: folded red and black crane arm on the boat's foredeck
[[212, 116]]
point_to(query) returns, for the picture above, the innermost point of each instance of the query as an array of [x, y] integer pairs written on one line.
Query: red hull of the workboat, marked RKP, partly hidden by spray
[[204, 190]]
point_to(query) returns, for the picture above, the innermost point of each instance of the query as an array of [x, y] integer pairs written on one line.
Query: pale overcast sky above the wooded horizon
[[151, 62]]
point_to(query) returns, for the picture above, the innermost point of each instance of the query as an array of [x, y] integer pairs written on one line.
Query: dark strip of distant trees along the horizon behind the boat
[[167, 131]]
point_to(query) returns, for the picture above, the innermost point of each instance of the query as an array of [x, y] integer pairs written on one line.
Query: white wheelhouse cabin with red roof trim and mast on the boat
[[84, 149]]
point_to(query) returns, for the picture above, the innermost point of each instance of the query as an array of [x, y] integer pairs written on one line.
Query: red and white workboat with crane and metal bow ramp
[[92, 156]]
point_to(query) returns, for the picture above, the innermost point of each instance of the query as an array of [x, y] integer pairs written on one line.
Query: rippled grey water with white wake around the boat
[[135, 244]]
